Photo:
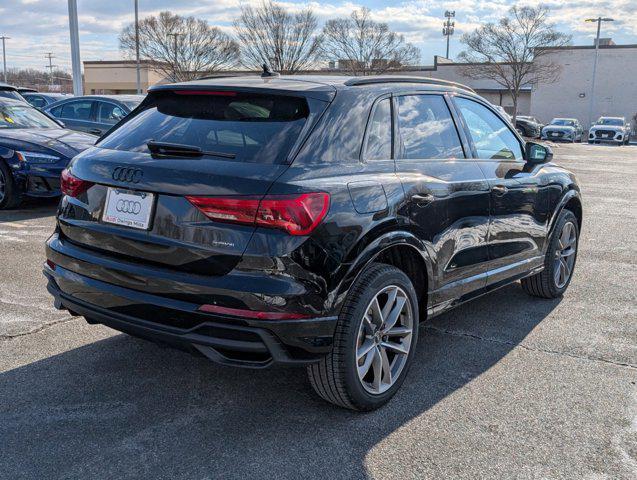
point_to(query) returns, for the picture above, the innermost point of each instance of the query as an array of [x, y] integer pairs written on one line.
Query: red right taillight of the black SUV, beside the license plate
[[295, 214]]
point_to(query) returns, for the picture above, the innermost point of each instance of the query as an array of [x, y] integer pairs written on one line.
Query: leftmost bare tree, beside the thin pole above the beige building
[[182, 47]]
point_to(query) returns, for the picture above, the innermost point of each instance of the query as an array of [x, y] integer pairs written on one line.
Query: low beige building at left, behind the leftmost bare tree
[[118, 77]]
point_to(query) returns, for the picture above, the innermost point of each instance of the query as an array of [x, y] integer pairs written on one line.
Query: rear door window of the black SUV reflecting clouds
[[426, 128]]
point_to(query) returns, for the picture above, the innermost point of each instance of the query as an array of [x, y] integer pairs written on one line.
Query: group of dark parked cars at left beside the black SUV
[[41, 132]]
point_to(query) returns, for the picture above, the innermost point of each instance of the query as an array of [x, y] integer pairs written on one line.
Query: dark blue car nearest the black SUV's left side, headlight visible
[[34, 149]]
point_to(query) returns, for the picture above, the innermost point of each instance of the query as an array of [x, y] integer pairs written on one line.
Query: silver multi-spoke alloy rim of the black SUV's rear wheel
[[384, 339]]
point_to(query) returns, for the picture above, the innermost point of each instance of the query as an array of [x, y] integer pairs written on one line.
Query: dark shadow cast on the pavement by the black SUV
[[124, 408]]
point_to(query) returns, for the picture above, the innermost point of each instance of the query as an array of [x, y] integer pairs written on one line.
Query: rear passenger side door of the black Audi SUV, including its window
[[447, 194]]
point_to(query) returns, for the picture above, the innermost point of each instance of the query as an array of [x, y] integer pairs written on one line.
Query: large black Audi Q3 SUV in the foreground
[[308, 220]]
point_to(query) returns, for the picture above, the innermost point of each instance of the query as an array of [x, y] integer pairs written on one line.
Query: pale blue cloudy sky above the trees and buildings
[[40, 26]]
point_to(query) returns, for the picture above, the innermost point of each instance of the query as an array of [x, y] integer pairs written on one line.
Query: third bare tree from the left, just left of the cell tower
[[365, 47]]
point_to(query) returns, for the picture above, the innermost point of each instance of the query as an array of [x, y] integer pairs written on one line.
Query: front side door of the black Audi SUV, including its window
[[519, 192]]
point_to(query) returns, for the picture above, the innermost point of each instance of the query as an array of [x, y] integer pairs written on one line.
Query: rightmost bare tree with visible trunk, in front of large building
[[512, 51]]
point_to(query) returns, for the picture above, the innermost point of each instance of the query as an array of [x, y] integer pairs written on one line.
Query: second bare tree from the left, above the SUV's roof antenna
[[270, 35]]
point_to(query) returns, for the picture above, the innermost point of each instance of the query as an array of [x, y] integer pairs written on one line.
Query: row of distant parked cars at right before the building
[[603, 130]]
